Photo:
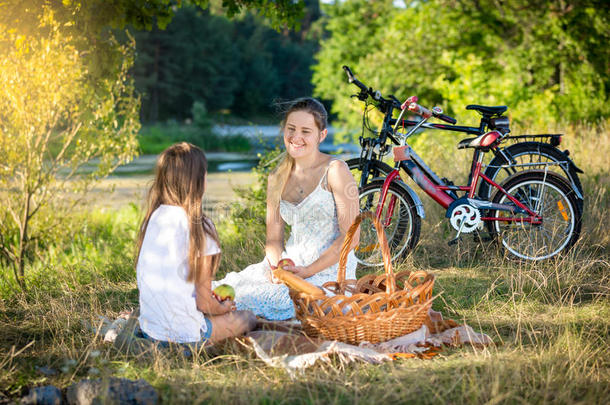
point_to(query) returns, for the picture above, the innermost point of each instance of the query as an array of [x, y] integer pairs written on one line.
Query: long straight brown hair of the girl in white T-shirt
[[180, 180]]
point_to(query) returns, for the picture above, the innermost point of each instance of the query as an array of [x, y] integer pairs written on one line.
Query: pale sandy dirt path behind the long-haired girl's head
[[116, 192]]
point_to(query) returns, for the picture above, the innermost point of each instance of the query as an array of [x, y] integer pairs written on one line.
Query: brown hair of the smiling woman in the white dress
[[279, 176]]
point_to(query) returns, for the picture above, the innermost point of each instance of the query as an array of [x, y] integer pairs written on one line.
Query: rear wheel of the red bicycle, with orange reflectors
[[548, 195]]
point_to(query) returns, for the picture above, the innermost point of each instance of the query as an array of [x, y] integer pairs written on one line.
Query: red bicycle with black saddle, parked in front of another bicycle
[[534, 214]]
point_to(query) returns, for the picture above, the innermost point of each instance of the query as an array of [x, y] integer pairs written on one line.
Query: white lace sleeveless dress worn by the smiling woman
[[314, 227]]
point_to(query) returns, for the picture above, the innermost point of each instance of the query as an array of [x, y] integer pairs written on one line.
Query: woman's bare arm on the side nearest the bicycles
[[345, 191]]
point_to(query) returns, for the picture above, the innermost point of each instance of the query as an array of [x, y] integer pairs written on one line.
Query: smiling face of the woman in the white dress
[[301, 134]]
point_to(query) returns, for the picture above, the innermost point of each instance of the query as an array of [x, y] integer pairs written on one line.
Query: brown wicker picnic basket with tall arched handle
[[374, 308]]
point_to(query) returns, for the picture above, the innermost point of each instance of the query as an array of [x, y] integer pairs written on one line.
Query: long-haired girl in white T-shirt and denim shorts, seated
[[177, 256]]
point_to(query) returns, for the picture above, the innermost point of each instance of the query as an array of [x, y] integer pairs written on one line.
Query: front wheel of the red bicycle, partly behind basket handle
[[399, 218]]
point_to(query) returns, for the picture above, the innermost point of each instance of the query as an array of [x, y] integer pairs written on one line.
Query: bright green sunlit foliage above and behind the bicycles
[[546, 63]]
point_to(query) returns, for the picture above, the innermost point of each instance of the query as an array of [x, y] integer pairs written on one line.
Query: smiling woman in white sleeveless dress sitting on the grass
[[317, 196]]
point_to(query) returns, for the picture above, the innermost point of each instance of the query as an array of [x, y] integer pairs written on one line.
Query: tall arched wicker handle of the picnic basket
[[385, 252]]
